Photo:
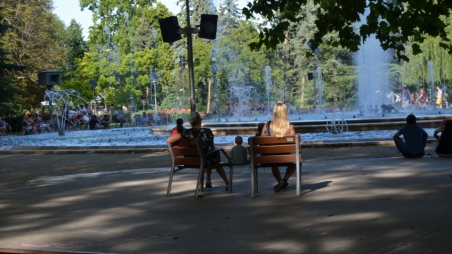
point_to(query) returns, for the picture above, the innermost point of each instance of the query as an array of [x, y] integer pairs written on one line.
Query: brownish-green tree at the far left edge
[[31, 40]]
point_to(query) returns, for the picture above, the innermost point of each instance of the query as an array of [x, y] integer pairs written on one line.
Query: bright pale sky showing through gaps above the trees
[[70, 9]]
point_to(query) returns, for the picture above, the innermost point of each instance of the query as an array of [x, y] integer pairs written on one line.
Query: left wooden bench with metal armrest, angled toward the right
[[188, 153]]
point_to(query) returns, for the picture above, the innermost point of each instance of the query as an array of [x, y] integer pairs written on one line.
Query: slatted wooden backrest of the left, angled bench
[[187, 152]]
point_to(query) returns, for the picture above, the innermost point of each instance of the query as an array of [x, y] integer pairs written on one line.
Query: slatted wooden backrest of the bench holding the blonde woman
[[267, 150]]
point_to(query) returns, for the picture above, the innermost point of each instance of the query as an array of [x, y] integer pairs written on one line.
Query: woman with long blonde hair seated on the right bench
[[280, 127]]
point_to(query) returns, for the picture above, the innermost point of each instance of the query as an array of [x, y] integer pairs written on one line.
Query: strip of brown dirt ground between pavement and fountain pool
[[17, 169]]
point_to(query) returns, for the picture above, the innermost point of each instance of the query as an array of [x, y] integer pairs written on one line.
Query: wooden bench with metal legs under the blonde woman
[[268, 151]]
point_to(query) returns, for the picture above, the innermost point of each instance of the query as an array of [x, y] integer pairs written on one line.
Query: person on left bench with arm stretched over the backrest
[[208, 145]]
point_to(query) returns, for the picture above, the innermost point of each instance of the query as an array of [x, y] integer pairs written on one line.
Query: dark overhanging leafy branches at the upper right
[[394, 22]]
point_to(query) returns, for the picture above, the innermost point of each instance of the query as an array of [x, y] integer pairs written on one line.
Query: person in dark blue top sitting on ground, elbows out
[[415, 139]]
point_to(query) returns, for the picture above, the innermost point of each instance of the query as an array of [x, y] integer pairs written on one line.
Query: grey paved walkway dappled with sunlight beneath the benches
[[388, 205]]
